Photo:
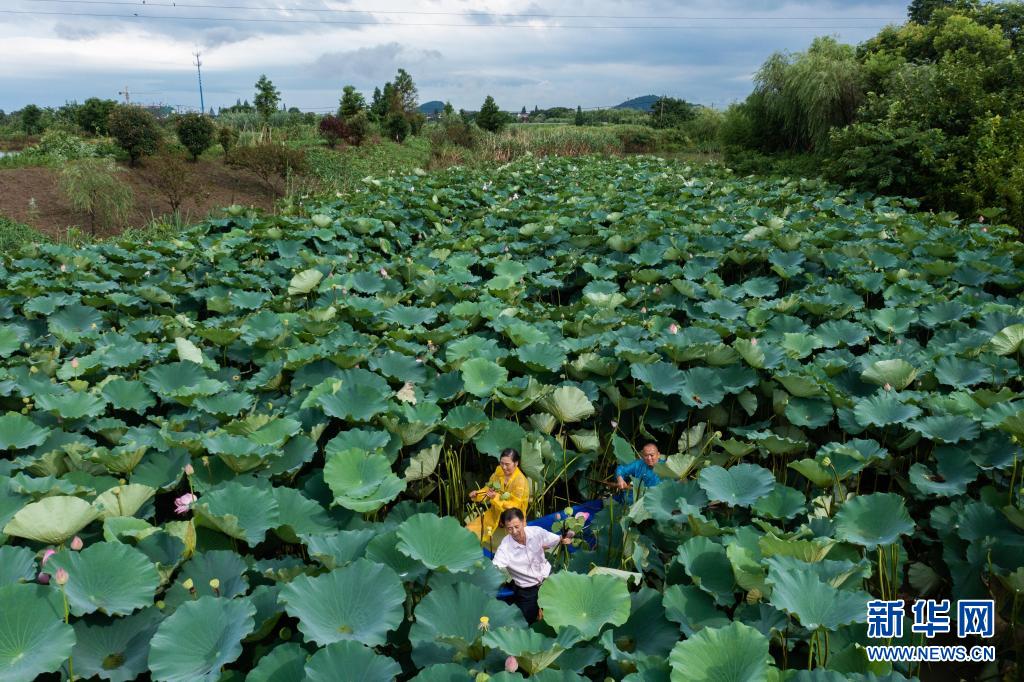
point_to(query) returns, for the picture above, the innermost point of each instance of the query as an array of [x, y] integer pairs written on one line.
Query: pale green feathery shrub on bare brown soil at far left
[[94, 188]]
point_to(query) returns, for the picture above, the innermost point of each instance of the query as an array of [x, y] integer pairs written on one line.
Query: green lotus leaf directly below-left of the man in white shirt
[[451, 615]]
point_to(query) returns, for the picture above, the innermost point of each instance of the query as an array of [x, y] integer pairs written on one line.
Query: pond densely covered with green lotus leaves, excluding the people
[[835, 378]]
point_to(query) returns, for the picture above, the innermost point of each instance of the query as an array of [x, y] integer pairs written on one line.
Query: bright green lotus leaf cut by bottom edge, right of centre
[[734, 654]]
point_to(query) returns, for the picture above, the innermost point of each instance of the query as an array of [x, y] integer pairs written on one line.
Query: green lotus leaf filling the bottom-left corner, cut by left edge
[[34, 637]]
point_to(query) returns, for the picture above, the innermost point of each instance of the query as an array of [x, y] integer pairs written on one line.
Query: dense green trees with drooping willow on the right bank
[[931, 109]]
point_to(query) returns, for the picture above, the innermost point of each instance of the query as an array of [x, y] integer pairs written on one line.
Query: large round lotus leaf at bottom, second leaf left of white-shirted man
[[362, 603]]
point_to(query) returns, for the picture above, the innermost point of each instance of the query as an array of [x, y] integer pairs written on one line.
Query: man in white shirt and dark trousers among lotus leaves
[[522, 555]]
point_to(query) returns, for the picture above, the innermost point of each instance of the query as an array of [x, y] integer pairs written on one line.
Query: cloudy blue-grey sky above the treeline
[[524, 53]]
